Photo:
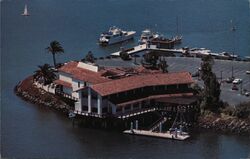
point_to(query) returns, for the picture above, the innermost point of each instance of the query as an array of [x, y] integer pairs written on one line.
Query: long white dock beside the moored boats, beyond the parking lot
[[144, 47]]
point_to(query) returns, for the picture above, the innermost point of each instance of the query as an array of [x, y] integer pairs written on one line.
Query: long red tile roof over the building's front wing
[[138, 81]]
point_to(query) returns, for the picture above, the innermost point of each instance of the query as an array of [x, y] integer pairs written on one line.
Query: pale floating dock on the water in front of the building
[[164, 135]]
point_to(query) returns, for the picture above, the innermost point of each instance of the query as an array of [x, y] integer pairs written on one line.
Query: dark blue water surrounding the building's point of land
[[32, 131]]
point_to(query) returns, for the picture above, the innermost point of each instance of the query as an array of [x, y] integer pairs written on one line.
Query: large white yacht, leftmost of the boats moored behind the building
[[115, 35]]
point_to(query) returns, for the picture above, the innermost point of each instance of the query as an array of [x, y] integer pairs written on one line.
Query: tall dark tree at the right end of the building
[[211, 94]]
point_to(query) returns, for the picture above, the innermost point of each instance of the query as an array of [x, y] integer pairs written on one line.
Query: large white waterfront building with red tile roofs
[[102, 92]]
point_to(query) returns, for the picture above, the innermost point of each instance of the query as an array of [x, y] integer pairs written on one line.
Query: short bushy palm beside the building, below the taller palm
[[45, 74]]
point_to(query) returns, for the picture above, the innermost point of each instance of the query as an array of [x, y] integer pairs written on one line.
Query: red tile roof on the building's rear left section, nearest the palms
[[83, 74]]
